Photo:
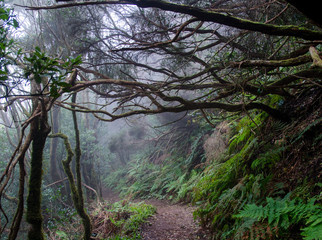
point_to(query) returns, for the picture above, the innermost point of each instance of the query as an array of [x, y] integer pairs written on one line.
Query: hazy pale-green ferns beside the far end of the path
[[174, 178]]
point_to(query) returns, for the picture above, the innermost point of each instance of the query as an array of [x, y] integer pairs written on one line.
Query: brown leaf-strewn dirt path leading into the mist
[[171, 221]]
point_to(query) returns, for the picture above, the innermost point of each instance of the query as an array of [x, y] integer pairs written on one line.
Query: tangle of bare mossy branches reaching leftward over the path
[[196, 52]]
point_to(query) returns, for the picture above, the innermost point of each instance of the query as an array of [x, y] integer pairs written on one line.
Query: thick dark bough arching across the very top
[[208, 16]]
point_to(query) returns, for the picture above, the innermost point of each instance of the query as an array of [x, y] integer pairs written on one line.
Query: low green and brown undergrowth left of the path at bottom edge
[[118, 221]]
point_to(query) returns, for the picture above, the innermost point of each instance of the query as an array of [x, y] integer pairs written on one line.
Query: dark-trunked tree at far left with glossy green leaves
[[43, 74]]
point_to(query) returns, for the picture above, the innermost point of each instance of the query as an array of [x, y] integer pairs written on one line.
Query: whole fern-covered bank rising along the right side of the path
[[266, 185]]
